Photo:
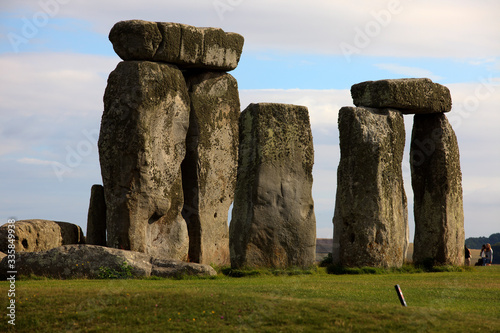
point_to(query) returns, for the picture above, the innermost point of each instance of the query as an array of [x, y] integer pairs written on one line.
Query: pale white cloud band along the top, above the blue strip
[[449, 28]]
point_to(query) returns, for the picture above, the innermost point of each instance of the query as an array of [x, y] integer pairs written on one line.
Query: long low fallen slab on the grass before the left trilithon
[[85, 261]]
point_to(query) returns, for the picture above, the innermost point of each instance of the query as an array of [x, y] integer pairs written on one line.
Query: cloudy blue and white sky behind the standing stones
[[55, 58]]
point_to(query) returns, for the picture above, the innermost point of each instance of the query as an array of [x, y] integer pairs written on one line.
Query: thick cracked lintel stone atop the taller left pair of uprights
[[179, 44]]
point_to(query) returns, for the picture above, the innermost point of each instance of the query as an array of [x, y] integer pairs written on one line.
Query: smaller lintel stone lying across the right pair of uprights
[[407, 95]]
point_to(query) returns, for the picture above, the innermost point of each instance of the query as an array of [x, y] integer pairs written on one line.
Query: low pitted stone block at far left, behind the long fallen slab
[[41, 235]]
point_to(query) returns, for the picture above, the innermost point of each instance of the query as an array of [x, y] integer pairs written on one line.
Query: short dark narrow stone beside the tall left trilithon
[[96, 218]]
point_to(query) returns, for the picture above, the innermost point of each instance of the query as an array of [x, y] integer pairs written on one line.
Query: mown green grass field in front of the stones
[[437, 302]]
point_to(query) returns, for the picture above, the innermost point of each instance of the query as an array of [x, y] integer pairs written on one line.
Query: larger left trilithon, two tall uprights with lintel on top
[[143, 139]]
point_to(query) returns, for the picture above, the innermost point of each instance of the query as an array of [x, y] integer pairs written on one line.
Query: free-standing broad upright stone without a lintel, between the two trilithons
[[273, 222]]
